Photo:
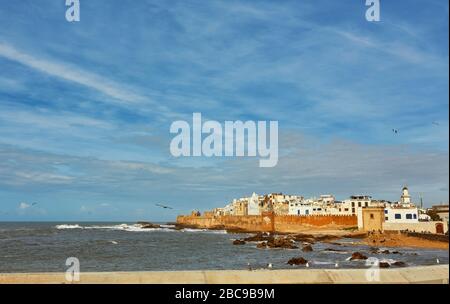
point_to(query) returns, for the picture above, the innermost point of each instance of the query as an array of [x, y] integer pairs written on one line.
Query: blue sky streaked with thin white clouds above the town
[[86, 107]]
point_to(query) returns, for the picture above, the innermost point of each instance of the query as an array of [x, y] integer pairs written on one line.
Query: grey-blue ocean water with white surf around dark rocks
[[44, 247]]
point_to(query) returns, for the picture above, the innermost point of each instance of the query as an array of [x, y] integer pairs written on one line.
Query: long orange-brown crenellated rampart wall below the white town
[[270, 222]]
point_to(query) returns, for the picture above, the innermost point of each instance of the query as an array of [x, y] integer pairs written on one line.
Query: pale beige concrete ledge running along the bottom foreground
[[438, 274]]
